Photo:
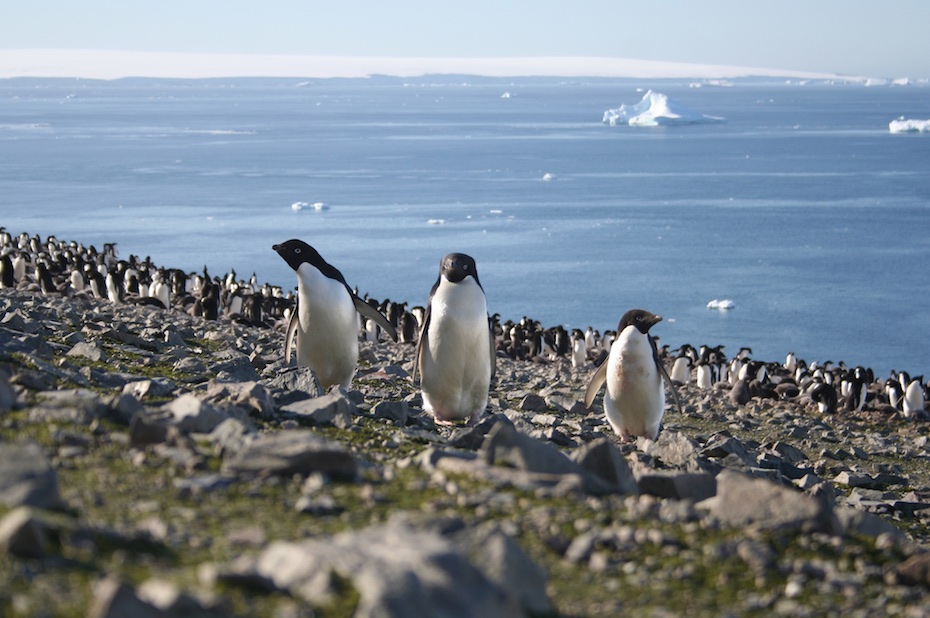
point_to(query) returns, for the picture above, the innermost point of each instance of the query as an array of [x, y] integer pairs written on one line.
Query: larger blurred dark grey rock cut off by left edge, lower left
[[27, 478]]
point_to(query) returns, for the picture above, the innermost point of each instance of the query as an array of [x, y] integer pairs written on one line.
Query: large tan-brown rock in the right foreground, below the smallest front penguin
[[742, 500]]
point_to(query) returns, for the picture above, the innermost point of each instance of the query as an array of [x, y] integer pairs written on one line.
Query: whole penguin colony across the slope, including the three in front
[[634, 398]]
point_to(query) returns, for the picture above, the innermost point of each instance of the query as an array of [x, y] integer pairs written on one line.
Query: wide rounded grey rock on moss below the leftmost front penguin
[[292, 452]]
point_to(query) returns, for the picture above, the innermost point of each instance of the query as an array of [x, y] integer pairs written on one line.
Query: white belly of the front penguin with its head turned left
[[327, 341]]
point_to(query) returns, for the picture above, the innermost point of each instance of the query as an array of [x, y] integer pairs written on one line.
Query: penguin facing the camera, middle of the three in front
[[455, 353]]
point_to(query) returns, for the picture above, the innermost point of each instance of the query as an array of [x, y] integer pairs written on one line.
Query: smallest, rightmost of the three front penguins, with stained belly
[[635, 398]]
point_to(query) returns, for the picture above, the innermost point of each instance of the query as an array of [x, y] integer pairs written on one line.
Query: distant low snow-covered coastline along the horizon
[[97, 64]]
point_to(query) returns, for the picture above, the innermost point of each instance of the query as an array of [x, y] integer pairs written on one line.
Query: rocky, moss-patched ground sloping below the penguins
[[157, 464]]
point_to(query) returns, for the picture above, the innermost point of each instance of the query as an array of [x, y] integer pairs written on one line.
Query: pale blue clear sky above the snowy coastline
[[848, 37]]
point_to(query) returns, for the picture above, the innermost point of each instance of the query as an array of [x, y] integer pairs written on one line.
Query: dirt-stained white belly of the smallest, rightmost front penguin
[[635, 400]]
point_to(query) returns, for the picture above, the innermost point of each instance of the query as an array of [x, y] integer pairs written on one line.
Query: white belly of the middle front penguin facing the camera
[[456, 366]]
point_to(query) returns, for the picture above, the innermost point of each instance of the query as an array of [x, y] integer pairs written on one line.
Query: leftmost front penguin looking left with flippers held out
[[326, 319]]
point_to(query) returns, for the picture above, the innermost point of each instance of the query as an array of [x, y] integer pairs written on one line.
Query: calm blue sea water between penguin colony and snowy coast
[[802, 208]]
